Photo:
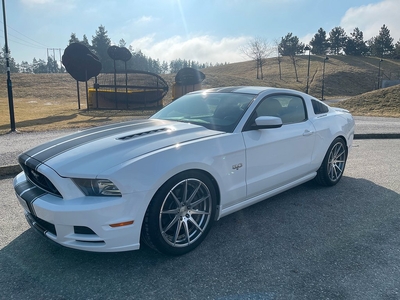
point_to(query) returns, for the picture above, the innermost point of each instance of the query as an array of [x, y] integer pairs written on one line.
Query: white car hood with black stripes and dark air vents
[[90, 152]]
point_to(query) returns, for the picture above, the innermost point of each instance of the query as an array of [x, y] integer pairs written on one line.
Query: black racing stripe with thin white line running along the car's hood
[[51, 149]]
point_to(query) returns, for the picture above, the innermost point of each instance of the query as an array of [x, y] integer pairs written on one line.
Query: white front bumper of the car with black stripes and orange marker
[[83, 222]]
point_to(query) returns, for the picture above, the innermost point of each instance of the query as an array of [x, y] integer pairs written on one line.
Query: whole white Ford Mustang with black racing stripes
[[165, 180]]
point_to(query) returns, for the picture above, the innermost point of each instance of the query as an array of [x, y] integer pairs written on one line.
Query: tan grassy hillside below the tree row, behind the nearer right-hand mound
[[344, 76]]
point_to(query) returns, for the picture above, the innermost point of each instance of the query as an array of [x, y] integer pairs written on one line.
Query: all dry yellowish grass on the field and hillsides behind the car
[[49, 101]]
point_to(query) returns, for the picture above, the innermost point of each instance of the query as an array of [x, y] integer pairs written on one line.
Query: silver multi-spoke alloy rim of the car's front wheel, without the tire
[[185, 212]]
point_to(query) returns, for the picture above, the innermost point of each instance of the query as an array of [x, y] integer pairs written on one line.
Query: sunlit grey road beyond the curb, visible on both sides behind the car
[[14, 143]]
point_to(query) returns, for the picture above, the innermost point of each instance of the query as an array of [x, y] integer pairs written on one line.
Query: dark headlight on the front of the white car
[[97, 187]]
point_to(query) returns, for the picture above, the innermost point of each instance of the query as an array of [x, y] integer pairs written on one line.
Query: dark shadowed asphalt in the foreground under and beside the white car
[[310, 242]]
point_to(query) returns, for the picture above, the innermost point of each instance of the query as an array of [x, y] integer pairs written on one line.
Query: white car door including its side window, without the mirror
[[278, 156]]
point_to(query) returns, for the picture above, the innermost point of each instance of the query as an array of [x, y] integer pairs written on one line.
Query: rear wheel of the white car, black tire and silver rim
[[333, 165]]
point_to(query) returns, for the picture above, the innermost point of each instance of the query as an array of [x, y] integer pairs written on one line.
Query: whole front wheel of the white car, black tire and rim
[[180, 214]]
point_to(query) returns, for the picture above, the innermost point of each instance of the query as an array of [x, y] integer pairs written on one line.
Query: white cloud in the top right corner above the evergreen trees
[[370, 18]]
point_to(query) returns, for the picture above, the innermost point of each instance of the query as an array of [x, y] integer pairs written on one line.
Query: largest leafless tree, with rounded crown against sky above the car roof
[[259, 50]]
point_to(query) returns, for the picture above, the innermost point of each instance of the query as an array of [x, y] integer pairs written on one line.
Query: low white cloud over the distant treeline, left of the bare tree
[[202, 48]]
